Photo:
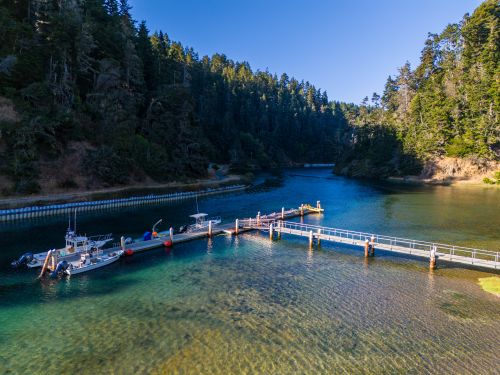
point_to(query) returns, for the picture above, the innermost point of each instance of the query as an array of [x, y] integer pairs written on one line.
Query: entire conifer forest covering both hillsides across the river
[[90, 98]]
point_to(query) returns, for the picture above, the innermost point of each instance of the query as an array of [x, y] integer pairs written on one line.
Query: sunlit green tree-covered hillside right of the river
[[448, 105]]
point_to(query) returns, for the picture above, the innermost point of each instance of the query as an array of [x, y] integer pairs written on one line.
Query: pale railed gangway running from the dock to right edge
[[444, 251]]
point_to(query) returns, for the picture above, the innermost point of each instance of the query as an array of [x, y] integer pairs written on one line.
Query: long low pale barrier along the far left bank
[[122, 191]]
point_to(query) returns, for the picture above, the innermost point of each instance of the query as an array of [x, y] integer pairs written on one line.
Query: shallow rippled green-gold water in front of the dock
[[256, 307]]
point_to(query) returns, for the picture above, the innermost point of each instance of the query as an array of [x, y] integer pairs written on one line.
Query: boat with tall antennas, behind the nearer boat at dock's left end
[[75, 244]]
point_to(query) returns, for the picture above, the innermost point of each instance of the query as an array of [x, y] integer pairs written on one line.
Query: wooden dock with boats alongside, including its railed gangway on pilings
[[277, 224]]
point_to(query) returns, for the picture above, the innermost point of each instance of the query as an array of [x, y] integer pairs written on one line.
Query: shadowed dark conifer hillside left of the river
[[89, 97]]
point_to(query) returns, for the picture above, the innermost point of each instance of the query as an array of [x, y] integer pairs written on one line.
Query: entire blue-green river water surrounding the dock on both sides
[[246, 305]]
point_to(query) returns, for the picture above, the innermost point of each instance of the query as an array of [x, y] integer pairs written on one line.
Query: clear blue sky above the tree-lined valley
[[345, 47]]
